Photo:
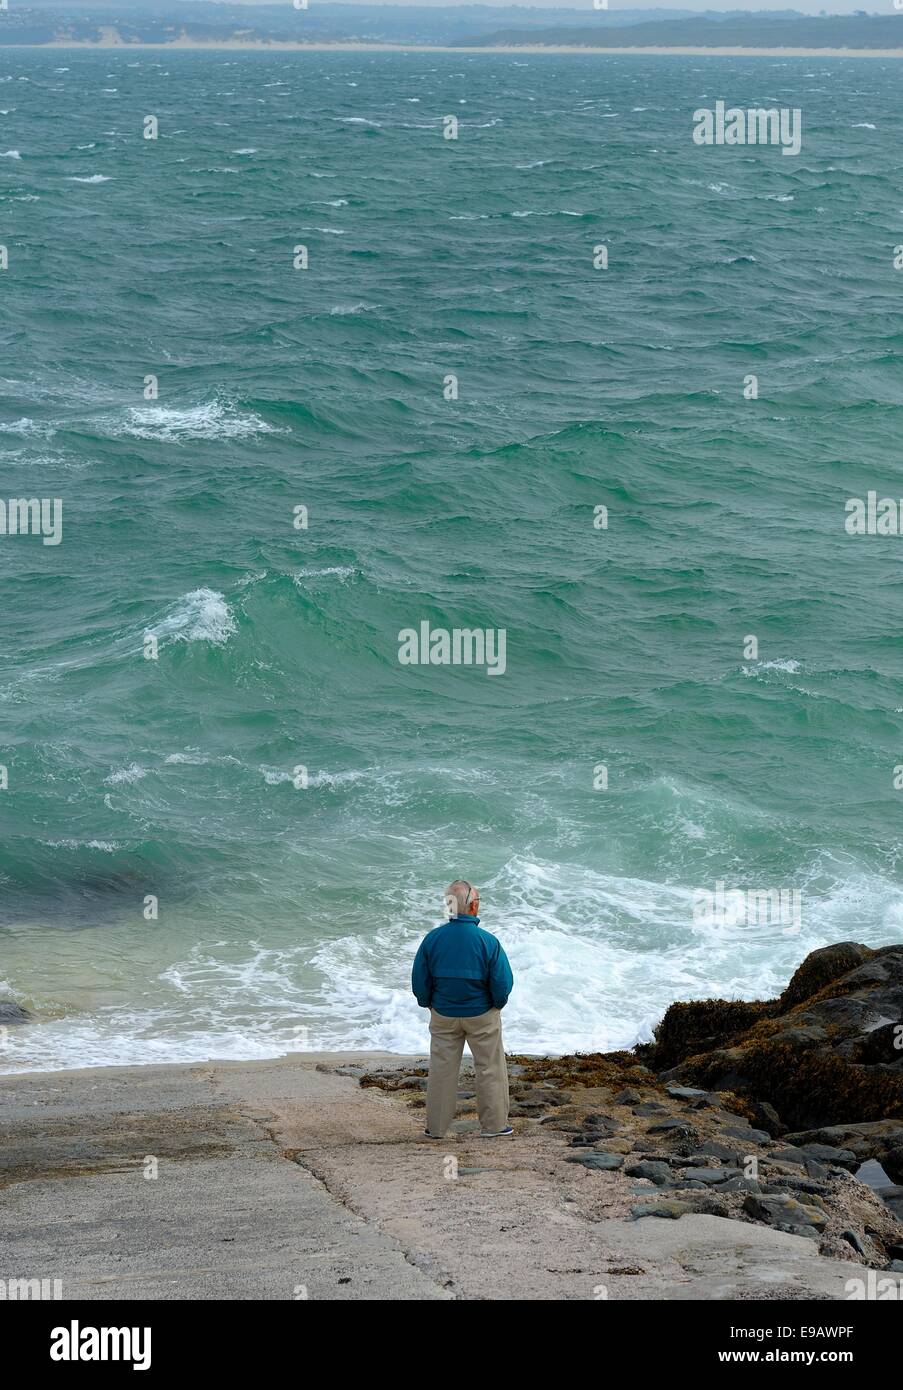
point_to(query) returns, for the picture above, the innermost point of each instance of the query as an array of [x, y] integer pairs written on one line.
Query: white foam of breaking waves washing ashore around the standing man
[[597, 958]]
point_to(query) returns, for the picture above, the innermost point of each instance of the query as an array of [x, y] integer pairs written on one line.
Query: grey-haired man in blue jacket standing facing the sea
[[463, 976]]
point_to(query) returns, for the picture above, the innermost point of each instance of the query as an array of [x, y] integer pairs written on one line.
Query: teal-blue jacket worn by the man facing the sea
[[462, 971]]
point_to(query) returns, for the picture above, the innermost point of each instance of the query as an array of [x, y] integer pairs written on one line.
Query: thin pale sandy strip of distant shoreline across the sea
[[290, 47]]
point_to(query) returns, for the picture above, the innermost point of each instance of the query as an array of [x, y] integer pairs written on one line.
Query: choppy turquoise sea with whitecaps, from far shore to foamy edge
[[288, 917]]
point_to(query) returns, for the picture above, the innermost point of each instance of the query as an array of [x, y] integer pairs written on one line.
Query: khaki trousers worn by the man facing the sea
[[447, 1046]]
